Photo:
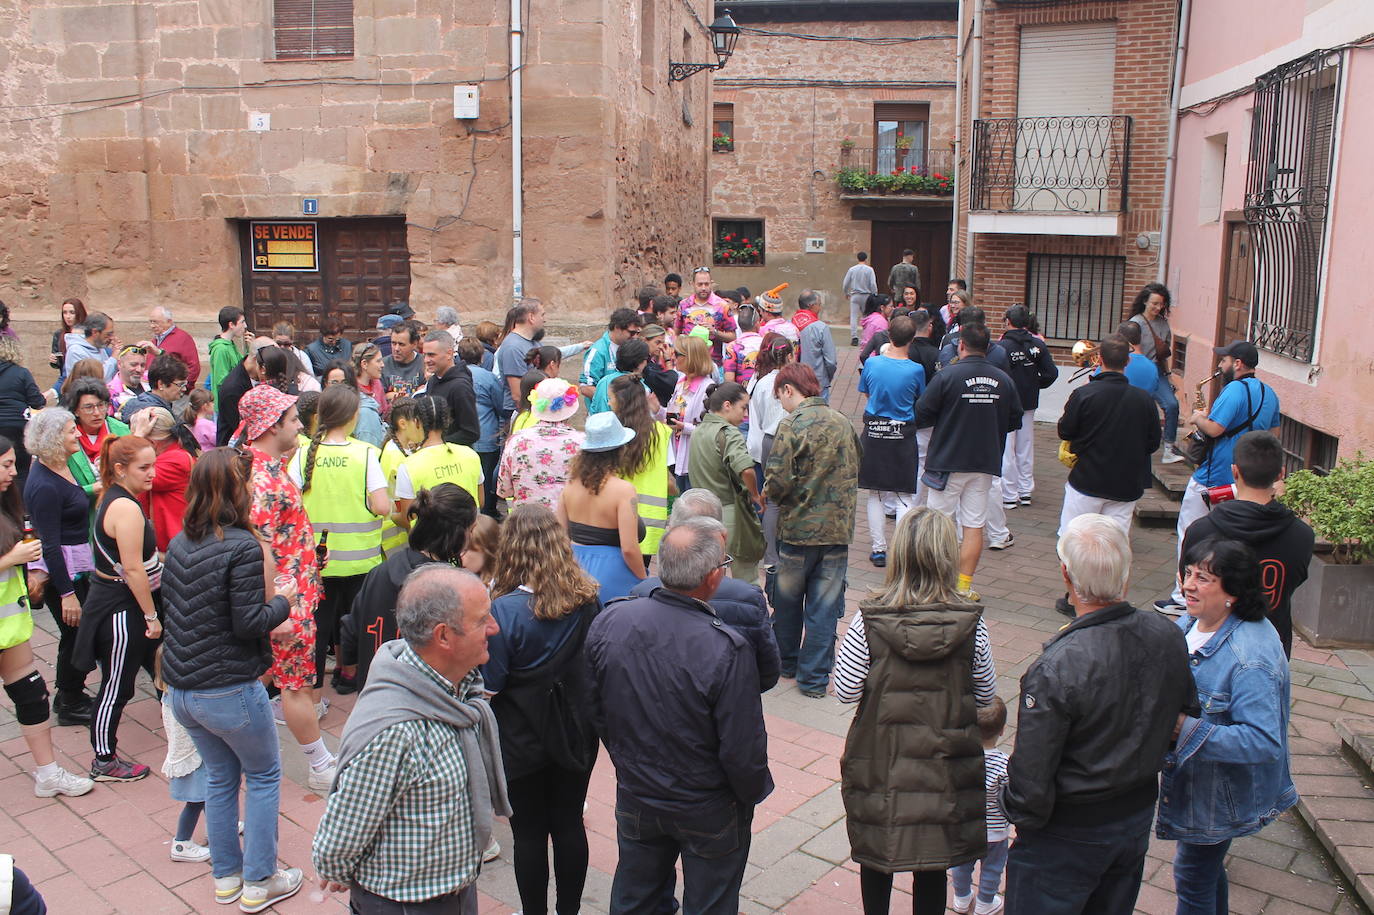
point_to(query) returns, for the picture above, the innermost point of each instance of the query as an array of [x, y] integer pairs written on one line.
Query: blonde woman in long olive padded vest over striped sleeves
[[916, 635]]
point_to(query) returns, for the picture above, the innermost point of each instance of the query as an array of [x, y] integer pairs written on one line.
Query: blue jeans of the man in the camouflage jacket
[[809, 593]]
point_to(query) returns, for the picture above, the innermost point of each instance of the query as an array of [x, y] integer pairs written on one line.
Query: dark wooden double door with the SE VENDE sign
[[363, 266]]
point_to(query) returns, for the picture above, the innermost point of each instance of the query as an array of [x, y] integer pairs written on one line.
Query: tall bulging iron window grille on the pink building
[[1287, 200]]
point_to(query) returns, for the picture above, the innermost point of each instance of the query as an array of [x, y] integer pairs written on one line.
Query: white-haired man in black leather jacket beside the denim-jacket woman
[[1099, 712]]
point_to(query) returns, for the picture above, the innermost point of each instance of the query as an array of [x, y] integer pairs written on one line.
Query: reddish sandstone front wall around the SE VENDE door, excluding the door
[[130, 203]]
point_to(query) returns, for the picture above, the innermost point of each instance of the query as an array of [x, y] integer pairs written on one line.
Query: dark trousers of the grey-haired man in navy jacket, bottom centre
[[714, 846]]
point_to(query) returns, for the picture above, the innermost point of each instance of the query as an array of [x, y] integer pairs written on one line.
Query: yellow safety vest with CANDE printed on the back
[[337, 502]]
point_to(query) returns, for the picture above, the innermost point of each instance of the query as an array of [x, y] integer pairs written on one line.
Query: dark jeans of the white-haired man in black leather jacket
[[1079, 870]]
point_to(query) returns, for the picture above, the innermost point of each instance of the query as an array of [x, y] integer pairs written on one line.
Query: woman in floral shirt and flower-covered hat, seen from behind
[[535, 465]]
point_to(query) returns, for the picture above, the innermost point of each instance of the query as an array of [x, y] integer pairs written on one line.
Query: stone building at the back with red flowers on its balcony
[[825, 91]]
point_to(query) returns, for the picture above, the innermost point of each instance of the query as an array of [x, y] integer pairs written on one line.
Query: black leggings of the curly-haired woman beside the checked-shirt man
[[549, 806]]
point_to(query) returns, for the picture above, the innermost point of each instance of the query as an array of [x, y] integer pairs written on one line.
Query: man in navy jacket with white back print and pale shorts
[[972, 406]]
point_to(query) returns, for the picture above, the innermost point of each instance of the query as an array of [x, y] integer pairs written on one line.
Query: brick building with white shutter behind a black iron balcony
[[1066, 111]]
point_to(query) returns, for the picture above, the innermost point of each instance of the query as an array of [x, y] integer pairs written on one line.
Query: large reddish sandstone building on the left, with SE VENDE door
[[141, 142]]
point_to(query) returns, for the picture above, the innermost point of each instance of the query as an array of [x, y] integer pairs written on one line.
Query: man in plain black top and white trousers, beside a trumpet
[[1114, 428]]
